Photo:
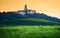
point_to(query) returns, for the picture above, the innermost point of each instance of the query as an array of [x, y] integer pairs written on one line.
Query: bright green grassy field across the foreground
[[30, 31]]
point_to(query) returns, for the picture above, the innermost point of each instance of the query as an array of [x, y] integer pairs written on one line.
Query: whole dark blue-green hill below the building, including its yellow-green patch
[[34, 19]]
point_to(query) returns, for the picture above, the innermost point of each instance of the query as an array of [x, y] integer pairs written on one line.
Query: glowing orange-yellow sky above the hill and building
[[49, 7]]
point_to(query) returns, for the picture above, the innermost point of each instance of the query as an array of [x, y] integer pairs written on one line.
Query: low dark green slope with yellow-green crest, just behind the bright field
[[31, 21]]
